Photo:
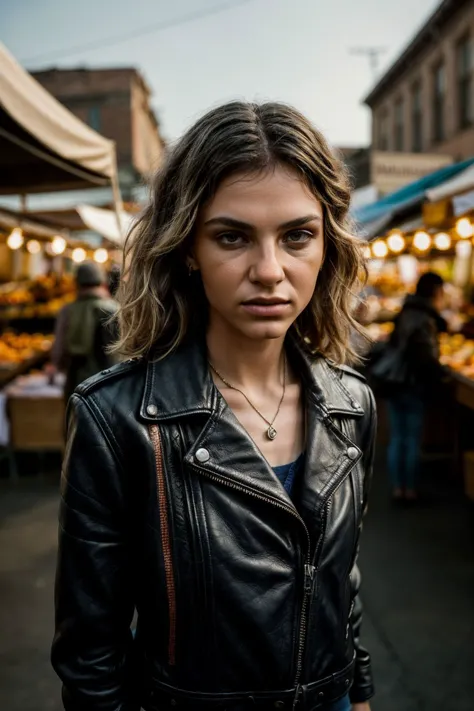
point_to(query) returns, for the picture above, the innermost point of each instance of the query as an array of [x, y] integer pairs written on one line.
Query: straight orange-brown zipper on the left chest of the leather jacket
[[165, 542]]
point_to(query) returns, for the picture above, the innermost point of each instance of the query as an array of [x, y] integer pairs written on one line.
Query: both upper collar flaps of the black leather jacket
[[181, 385]]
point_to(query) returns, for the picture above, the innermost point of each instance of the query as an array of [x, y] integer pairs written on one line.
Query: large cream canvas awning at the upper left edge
[[43, 146]]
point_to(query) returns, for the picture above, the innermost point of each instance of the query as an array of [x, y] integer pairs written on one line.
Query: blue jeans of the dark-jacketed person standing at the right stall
[[406, 415]]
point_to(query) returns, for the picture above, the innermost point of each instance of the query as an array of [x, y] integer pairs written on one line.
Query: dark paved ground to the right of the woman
[[418, 571]]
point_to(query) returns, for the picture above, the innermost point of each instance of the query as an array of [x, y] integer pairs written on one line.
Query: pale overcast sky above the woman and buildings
[[297, 51]]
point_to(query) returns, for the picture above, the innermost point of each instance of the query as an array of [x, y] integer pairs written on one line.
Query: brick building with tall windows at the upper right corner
[[424, 103]]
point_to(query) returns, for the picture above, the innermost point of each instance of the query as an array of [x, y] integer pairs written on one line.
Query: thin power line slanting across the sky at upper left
[[149, 29]]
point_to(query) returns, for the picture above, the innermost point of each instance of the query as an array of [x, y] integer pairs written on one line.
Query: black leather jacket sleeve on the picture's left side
[[94, 605]]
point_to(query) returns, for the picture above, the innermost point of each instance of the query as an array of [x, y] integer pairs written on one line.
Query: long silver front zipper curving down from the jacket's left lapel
[[309, 569]]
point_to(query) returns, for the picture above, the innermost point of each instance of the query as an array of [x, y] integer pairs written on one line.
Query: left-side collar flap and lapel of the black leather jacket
[[181, 387]]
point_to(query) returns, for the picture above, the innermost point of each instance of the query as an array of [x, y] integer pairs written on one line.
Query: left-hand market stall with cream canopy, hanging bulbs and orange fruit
[[43, 148]]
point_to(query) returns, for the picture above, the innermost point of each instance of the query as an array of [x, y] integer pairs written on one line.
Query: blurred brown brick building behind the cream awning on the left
[[116, 103]]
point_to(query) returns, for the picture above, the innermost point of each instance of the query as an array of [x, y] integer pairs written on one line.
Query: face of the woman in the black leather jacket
[[259, 246]]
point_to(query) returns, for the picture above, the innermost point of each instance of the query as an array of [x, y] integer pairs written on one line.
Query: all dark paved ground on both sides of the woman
[[418, 568]]
